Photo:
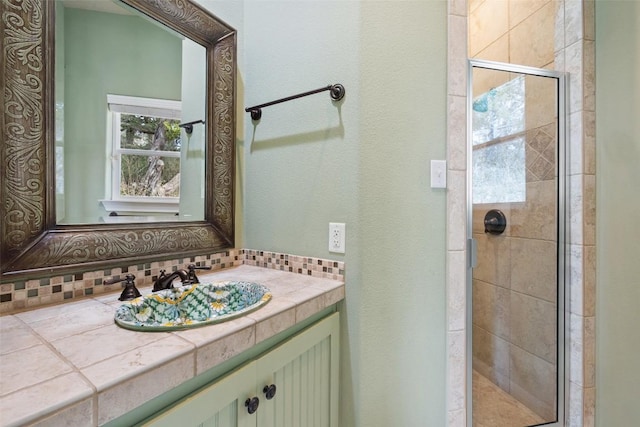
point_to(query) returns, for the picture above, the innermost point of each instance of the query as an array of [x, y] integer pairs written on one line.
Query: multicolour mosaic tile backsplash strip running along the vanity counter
[[33, 293]]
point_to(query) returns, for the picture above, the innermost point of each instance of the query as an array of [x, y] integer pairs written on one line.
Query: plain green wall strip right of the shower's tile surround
[[618, 209]]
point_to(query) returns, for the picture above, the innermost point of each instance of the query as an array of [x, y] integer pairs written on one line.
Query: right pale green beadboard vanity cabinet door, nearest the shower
[[304, 371]]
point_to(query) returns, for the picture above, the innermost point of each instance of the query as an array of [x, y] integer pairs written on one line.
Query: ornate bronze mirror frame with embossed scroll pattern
[[31, 244]]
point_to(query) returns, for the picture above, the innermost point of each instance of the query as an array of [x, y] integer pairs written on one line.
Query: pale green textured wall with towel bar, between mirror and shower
[[365, 162]]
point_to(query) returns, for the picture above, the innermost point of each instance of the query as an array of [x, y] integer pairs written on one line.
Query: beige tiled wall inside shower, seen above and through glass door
[[514, 286]]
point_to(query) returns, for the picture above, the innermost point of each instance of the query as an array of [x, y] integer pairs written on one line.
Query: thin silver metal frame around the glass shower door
[[563, 292]]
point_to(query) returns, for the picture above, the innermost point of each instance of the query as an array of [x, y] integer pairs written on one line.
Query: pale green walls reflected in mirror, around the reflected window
[[117, 51]]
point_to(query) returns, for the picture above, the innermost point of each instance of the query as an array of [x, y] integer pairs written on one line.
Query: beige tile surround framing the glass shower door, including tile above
[[572, 27]]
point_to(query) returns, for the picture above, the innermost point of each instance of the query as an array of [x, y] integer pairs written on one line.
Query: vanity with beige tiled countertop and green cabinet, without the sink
[[70, 364]]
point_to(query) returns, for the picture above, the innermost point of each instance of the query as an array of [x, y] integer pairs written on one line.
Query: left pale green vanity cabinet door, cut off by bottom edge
[[221, 404]]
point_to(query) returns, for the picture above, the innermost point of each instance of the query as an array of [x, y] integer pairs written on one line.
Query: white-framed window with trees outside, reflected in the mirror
[[144, 147]]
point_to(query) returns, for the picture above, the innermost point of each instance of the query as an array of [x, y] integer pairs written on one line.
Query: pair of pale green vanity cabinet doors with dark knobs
[[295, 384]]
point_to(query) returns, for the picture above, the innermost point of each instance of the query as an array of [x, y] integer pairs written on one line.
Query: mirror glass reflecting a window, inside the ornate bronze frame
[[124, 84]]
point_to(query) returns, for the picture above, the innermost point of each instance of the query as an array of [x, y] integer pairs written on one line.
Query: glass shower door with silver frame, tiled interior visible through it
[[516, 181]]
